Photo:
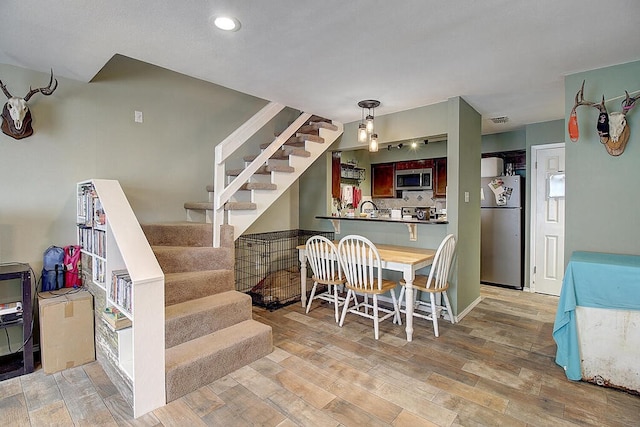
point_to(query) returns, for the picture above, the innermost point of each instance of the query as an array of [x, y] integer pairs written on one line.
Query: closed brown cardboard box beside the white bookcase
[[66, 330]]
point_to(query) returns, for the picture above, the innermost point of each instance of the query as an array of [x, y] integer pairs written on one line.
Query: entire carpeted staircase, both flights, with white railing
[[209, 330]]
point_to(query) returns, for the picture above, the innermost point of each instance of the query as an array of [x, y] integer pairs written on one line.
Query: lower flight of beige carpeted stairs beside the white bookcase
[[209, 331]]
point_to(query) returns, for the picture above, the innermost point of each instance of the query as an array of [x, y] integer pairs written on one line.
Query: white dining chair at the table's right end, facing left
[[436, 283]]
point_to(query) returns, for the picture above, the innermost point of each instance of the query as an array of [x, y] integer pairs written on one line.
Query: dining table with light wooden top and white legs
[[404, 259]]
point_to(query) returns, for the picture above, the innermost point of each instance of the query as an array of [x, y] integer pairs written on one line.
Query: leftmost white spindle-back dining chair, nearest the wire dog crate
[[322, 255]]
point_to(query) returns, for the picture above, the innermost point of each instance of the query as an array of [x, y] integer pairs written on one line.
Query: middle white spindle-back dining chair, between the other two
[[363, 271]]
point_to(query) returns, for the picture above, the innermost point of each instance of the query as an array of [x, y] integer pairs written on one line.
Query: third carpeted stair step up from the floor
[[180, 287]]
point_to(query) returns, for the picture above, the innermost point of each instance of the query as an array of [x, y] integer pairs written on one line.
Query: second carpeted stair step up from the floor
[[195, 318]]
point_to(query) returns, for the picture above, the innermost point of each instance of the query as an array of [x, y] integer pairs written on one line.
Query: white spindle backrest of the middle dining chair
[[360, 262]]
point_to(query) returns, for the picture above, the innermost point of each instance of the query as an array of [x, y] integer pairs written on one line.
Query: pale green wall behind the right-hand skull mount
[[602, 202]]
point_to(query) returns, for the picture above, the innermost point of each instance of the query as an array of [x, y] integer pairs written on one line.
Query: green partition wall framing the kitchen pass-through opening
[[462, 124]]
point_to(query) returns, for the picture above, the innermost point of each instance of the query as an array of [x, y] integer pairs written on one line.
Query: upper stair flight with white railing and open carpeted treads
[[239, 196]]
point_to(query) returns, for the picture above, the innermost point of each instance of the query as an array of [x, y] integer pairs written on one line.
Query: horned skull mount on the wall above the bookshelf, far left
[[16, 117]]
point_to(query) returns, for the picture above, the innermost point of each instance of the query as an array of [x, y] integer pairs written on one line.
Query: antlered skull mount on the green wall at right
[[613, 129]]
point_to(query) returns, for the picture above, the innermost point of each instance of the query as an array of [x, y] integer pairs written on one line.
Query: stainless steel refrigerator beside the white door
[[502, 232]]
